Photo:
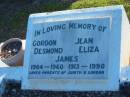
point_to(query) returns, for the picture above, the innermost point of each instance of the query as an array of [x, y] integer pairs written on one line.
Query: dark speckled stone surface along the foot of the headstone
[[13, 89]]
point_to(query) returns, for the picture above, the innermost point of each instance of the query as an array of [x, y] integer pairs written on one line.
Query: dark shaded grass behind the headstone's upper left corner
[[13, 19]]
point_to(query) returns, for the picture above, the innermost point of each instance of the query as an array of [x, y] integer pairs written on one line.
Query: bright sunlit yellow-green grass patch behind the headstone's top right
[[99, 3]]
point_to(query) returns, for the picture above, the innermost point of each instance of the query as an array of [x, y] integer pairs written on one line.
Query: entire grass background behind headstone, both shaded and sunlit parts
[[14, 13]]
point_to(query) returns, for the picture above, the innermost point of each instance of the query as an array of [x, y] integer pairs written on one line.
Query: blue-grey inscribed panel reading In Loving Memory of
[[70, 49]]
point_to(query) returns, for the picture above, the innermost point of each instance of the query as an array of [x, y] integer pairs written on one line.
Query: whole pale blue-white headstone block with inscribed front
[[75, 50]]
